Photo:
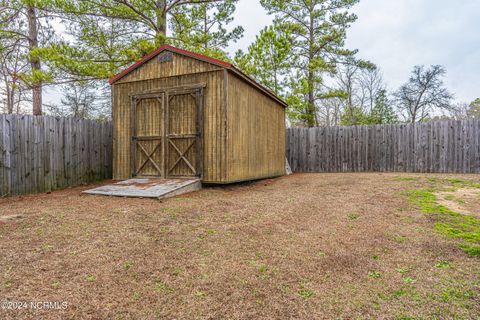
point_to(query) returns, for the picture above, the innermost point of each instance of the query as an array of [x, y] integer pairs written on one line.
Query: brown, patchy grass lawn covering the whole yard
[[323, 246]]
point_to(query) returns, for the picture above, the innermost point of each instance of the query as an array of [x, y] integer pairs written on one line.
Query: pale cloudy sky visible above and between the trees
[[396, 35]]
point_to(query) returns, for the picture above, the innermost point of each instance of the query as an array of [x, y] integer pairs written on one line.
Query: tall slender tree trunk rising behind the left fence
[[35, 63]]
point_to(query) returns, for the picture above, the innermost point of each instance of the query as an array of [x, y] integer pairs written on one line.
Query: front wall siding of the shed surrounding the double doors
[[213, 129]]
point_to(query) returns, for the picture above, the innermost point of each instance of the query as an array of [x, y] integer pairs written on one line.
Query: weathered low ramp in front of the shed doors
[[148, 188]]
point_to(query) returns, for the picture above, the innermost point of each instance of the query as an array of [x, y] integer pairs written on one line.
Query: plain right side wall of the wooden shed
[[255, 133]]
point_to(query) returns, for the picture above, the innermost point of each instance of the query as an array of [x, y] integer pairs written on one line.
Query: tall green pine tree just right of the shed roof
[[319, 31]]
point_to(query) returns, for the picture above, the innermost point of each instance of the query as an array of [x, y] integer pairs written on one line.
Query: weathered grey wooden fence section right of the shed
[[443, 146]]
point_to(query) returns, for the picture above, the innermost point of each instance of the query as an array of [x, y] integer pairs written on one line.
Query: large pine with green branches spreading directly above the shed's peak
[[108, 35]]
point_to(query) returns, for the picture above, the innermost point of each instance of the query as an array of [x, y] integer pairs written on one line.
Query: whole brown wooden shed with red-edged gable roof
[[180, 114]]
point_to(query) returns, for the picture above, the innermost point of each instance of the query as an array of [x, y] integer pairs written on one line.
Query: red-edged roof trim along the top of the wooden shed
[[198, 56]]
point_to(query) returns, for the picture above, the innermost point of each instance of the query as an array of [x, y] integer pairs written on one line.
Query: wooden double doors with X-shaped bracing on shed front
[[167, 133]]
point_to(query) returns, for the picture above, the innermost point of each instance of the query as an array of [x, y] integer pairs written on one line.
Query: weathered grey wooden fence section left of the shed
[[42, 153]]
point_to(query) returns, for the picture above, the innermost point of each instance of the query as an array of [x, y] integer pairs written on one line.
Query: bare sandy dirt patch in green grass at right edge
[[464, 200]]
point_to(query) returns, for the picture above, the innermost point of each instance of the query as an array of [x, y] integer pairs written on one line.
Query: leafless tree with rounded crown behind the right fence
[[423, 94]]
